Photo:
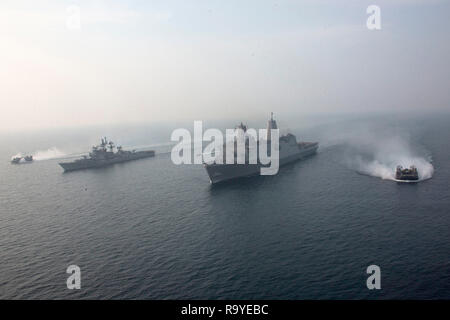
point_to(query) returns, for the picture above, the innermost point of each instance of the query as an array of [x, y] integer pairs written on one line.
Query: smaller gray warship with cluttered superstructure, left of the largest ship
[[104, 155]]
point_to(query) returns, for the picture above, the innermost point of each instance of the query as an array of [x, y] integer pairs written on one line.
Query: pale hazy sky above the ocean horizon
[[138, 61]]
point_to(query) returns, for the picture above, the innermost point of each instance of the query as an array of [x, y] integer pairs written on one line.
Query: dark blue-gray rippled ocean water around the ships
[[149, 229]]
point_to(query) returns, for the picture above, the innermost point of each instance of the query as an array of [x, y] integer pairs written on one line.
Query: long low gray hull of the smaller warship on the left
[[99, 163]]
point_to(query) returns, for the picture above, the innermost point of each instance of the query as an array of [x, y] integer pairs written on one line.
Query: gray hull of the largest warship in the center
[[224, 172]]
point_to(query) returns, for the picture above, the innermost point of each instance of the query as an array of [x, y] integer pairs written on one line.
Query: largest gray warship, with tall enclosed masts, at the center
[[289, 151]]
